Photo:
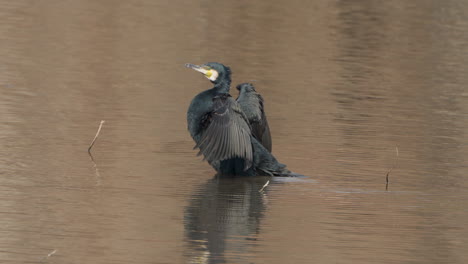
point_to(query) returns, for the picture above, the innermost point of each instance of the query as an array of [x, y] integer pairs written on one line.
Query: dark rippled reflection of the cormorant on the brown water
[[224, 216]]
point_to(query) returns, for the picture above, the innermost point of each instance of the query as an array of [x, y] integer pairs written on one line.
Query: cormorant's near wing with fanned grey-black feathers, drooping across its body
[[226, 132]]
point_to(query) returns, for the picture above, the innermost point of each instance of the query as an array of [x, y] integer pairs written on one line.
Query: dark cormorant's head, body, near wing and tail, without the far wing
[[222, 132]]
